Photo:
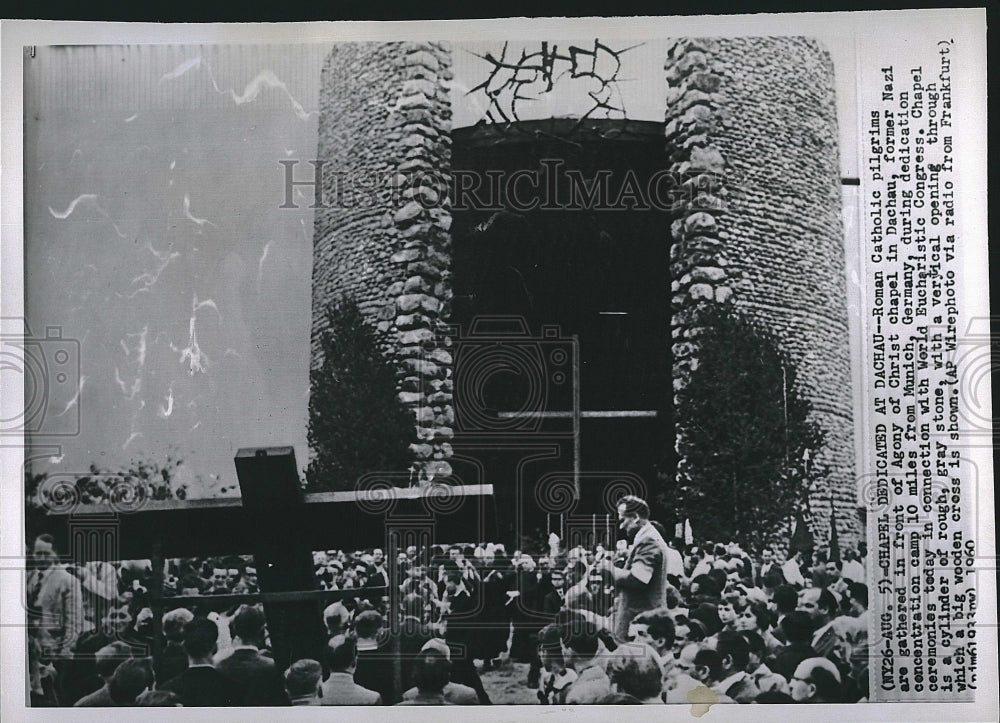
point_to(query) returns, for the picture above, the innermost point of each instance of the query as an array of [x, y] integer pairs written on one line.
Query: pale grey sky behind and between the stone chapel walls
[[153, 236]]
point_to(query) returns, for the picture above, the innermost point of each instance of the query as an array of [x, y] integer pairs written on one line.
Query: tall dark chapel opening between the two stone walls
[[586, 274]]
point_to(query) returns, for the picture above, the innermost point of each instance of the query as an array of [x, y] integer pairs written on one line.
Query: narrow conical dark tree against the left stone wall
[[357, 425]]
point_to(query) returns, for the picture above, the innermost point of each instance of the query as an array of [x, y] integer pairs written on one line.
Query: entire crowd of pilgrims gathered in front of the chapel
[[651, 621]]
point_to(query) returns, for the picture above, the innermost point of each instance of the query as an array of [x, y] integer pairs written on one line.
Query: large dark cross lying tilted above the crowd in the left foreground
[[281, 526]]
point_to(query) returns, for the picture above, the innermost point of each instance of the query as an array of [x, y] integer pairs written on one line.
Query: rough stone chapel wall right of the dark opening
[[753, 125]]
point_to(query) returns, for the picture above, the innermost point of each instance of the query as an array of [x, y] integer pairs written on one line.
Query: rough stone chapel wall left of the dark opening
[[385, 114]]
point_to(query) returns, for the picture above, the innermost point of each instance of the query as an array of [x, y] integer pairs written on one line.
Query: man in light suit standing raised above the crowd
[[642, 583]]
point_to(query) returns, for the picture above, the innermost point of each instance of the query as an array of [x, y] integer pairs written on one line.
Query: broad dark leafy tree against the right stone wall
[[744, 434]]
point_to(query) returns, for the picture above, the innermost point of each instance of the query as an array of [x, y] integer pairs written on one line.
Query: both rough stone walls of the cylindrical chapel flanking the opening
[[750, 122]]
